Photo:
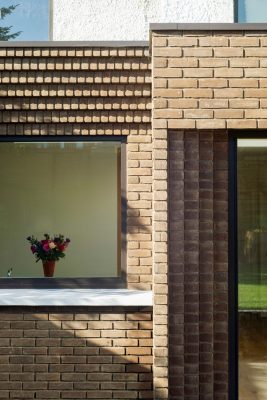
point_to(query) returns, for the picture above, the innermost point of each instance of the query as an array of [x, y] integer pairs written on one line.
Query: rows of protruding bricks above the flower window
[[75, 91]]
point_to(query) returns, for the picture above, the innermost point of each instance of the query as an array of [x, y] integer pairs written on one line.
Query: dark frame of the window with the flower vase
[[84, 282]]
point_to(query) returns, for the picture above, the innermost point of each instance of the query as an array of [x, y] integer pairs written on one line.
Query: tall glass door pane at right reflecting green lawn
[[252, 268]]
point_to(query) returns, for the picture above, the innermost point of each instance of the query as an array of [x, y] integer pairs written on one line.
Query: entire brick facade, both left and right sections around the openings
[[205, 83]]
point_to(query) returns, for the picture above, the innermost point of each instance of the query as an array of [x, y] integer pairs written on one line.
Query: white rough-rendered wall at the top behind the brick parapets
[[129, 19]]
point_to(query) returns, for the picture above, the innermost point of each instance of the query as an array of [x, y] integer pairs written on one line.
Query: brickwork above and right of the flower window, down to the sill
[[89, 92]]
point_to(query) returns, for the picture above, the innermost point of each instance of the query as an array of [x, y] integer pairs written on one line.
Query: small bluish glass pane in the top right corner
[[252, 11]]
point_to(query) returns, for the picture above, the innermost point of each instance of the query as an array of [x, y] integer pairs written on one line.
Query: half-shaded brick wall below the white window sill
[[96, 354]]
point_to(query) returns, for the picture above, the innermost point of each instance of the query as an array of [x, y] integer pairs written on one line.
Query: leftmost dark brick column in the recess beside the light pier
[[176, 264]]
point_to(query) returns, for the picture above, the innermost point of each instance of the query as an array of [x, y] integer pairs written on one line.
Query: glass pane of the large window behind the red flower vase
[[67, 188]]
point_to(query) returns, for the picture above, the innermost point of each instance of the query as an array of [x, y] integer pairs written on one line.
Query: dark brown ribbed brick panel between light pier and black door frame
[[198, 241]]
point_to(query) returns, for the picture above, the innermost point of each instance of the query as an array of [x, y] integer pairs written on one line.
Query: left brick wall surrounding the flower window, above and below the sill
[[96, 353]]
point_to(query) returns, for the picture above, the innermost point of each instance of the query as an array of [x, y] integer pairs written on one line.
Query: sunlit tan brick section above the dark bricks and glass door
[[210, 79]]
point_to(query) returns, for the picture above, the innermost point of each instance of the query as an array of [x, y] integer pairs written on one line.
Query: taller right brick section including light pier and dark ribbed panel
[[204, 84]]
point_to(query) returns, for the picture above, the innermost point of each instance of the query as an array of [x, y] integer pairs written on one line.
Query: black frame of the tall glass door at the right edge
[[233, 330]]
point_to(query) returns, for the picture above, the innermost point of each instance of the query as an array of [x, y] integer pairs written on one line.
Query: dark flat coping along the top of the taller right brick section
[[208, 27]]
